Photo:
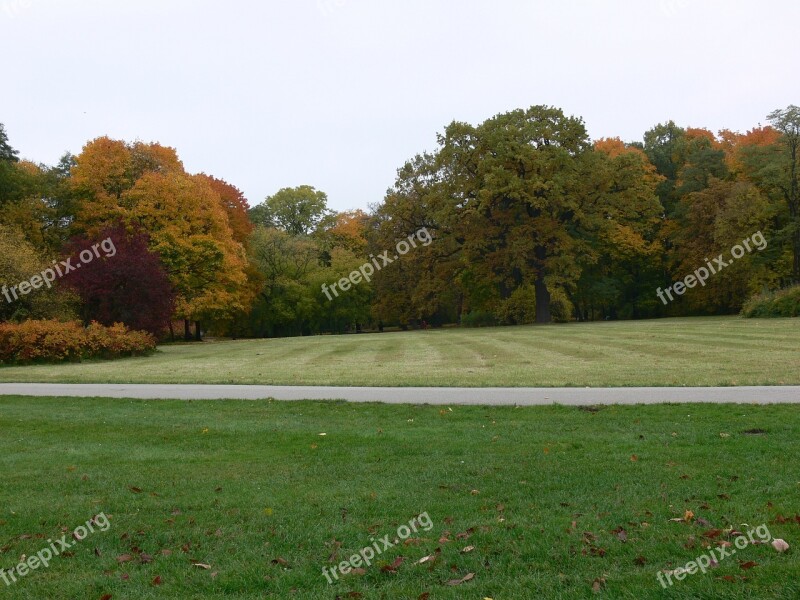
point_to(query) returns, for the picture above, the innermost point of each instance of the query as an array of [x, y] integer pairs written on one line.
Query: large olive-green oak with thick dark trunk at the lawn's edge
[[515, 175]]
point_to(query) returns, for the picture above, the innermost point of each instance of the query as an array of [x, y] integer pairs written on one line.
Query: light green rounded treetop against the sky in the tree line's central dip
[[298, 211]]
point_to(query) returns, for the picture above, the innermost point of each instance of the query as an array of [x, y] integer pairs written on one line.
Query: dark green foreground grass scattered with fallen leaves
[[253, 491]]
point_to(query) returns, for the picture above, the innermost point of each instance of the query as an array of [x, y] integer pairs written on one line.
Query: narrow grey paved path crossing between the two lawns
[[489, 396]]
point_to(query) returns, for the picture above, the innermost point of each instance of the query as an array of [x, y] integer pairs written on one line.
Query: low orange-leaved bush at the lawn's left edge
[[54, 341]]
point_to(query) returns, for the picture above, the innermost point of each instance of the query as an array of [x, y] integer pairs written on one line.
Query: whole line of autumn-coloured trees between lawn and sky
[[530, 221]]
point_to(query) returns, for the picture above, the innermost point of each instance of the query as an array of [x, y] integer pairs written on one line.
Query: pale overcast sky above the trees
[[338, 94]]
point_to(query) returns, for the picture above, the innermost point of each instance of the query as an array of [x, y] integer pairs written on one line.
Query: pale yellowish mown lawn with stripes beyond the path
[[669, 352]]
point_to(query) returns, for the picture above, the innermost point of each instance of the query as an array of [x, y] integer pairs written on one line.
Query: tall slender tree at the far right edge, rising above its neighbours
[[787, 122]]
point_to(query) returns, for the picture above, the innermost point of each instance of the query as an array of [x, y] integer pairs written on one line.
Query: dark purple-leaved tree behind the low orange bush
[[127, 287]]
